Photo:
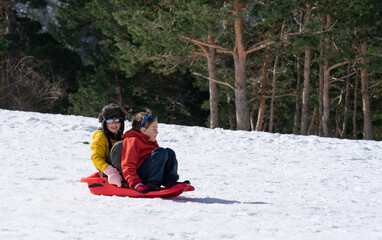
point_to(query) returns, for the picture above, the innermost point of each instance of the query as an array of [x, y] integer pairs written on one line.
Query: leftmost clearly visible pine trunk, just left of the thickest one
[[212, 85]]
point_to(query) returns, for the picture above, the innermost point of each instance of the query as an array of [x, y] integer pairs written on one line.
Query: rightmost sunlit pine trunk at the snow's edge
[[367, 126]]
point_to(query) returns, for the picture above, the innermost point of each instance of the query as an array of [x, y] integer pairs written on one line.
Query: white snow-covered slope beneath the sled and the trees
[[249, 185]]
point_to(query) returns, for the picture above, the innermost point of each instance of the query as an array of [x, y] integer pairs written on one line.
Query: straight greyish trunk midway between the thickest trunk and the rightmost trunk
[[306, 90]]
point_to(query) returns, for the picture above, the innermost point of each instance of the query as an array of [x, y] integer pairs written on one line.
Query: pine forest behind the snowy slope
[[301, 67]]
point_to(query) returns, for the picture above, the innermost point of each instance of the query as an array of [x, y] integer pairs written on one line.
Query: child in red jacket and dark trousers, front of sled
[[144, 165]]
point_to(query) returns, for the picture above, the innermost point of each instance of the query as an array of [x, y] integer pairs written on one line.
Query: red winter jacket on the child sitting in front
[[135, 150]]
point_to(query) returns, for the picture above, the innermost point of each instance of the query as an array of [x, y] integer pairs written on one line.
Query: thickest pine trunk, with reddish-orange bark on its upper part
[[240, 57]]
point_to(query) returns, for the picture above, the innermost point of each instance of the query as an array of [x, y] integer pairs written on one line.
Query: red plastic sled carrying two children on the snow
[[100, 186]]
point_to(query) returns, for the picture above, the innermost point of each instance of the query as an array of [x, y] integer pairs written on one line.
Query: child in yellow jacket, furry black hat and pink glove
[[112, 119]]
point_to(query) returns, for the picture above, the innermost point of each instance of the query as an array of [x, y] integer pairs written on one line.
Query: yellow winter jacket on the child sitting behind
[[100, 150]]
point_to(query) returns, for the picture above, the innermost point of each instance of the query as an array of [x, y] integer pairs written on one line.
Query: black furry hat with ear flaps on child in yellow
[[109, 112]]
